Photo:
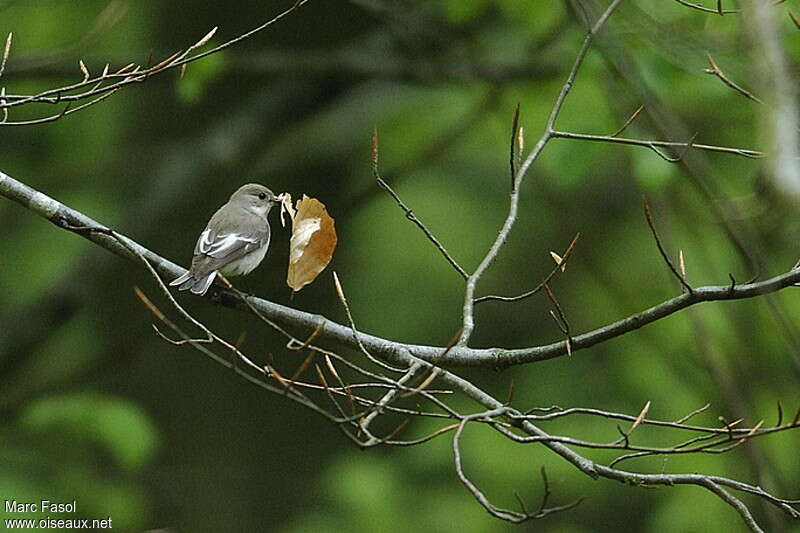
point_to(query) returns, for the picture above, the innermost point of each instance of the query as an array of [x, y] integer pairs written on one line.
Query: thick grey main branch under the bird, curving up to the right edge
[[69, 219]]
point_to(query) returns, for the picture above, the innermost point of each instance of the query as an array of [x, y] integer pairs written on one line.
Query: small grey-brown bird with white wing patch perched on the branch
[[235, 240]]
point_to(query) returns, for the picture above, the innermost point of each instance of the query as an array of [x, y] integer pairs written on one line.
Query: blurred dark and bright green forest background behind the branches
[[95, 408]]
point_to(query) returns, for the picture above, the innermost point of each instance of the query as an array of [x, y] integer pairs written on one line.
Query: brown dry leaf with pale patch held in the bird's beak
[[312, 243]]
